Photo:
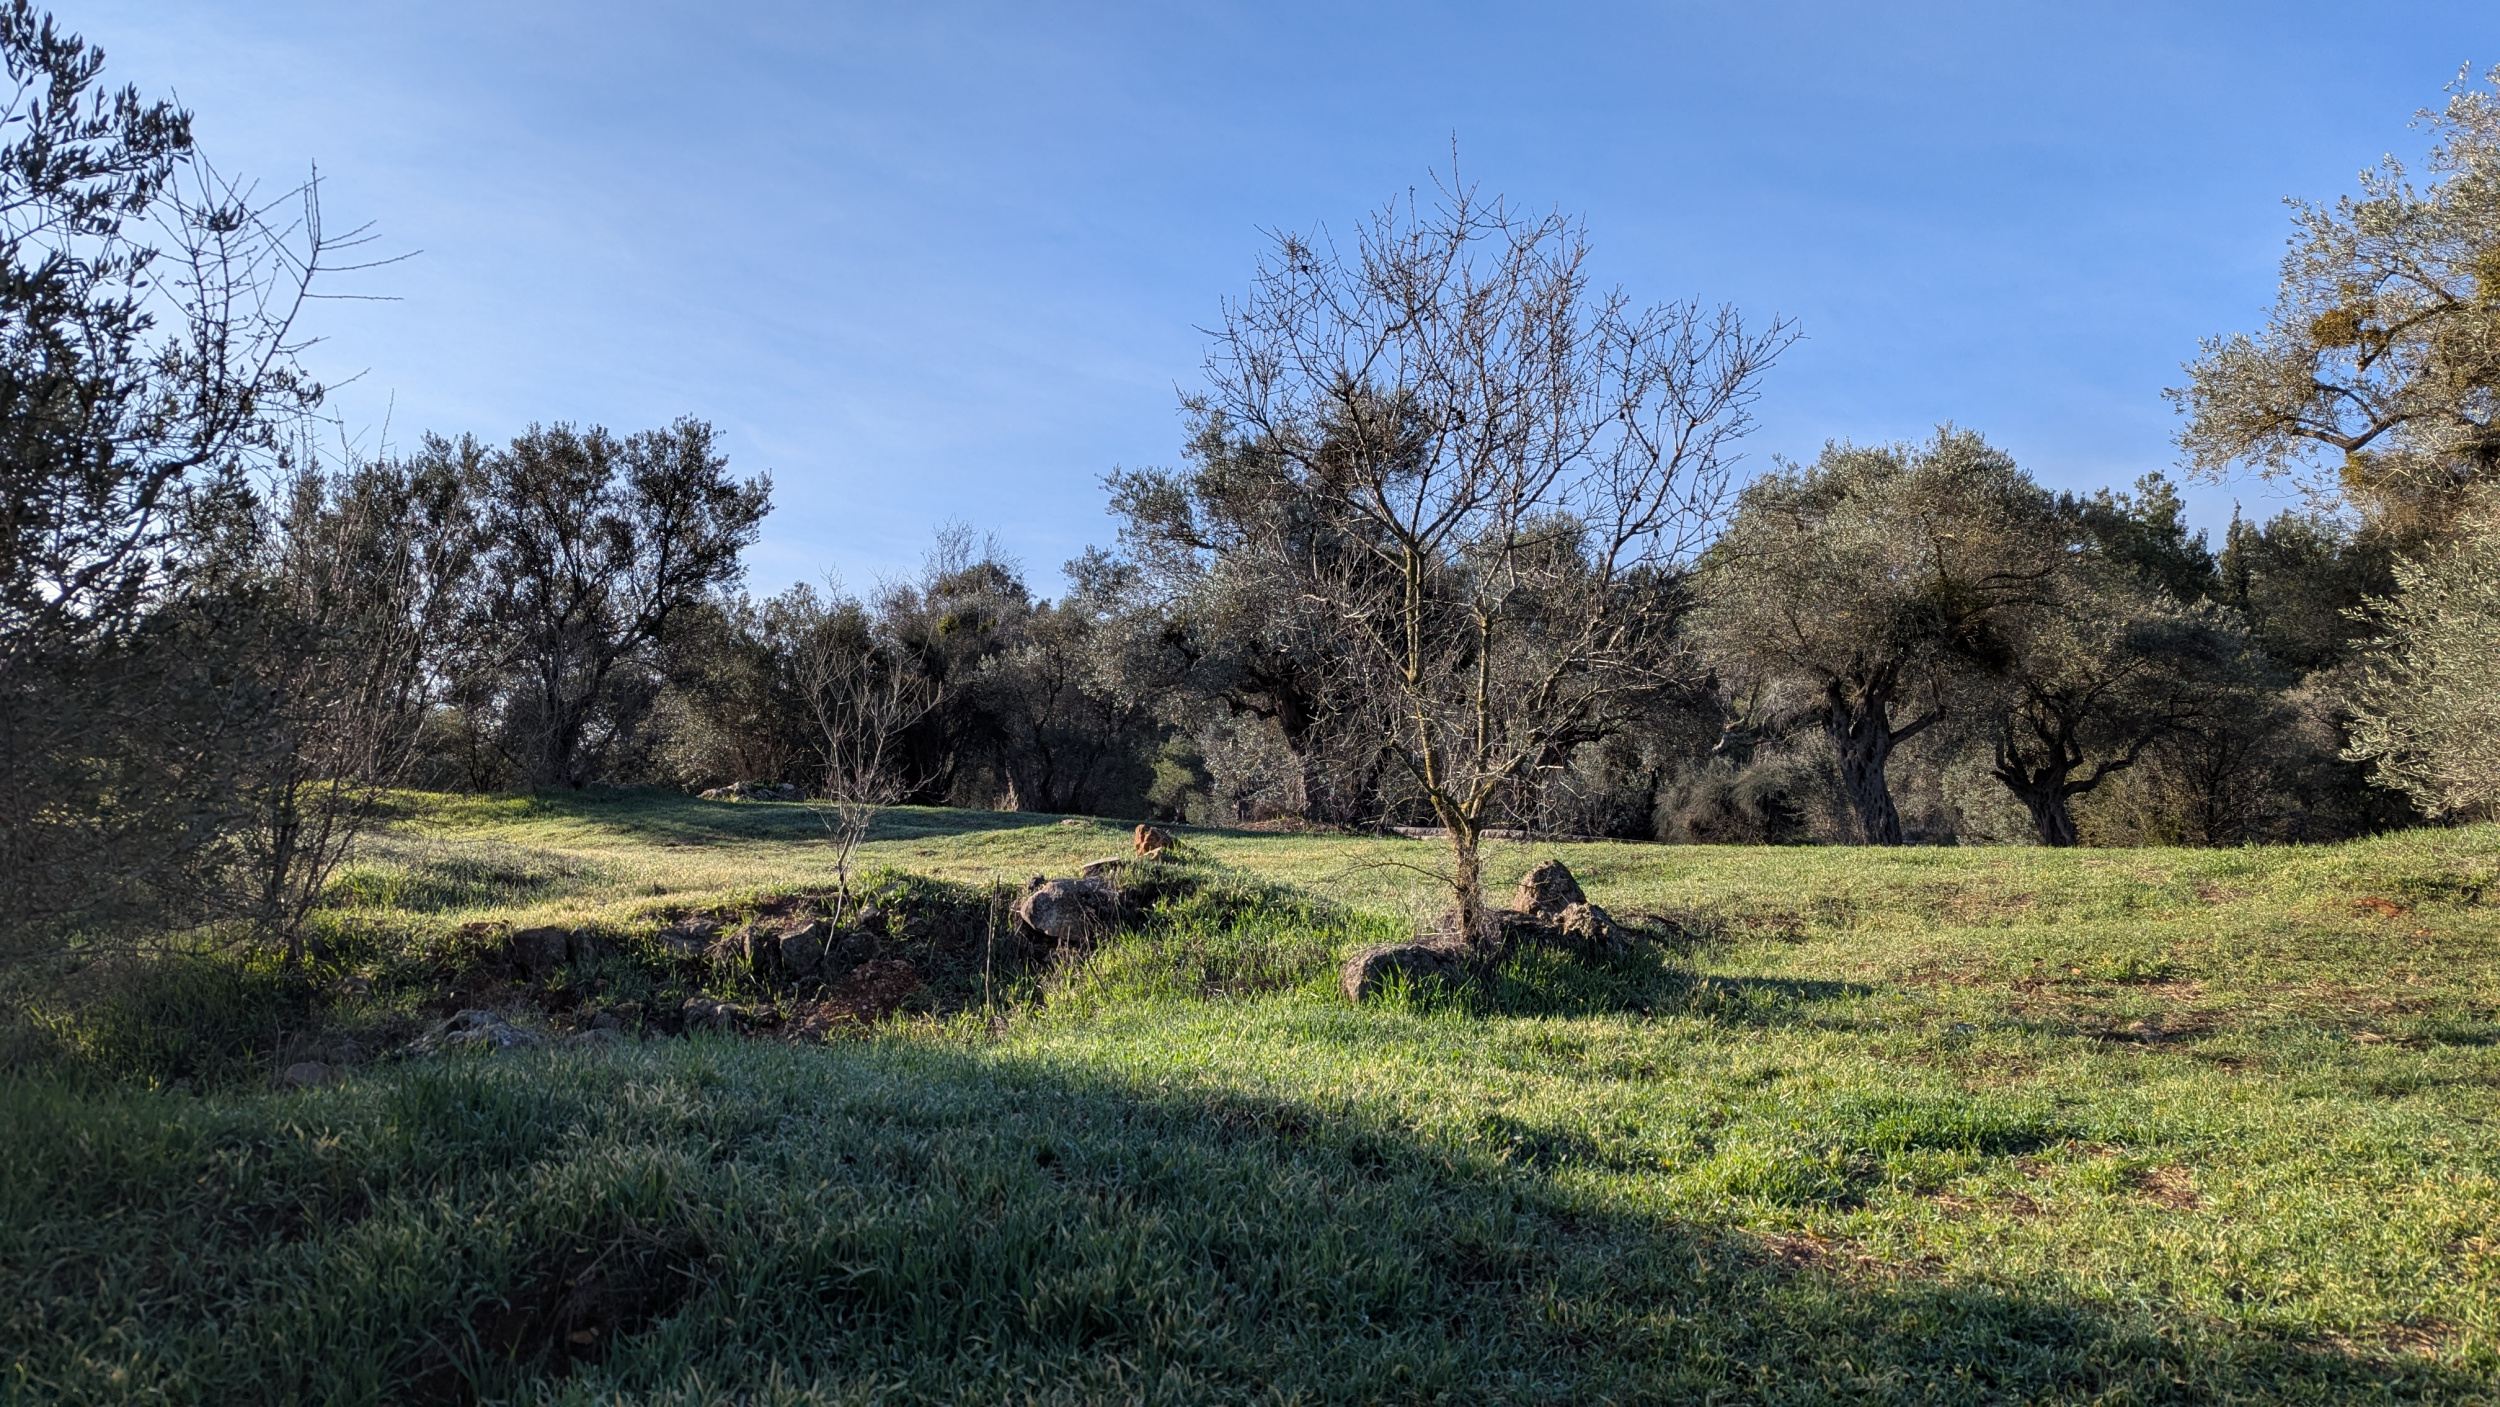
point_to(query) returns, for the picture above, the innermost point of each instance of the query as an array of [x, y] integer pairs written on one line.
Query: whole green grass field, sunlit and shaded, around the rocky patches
[[1926, 1126]]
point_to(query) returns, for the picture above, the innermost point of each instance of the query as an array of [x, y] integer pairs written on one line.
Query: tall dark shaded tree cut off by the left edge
[[149, 364]]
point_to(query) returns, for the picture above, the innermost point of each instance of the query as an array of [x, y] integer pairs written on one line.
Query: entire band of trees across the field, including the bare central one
[[1459, 541]]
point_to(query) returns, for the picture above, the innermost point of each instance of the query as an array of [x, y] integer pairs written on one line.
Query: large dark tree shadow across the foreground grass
[[941, 1223]]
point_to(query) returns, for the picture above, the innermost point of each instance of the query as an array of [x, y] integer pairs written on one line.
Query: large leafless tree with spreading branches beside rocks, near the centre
[[1511, 459]]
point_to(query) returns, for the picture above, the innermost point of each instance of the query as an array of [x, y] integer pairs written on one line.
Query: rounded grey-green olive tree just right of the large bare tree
[[1851, 594]]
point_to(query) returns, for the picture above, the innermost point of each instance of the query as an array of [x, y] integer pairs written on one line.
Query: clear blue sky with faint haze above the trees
[[951, 261]]
